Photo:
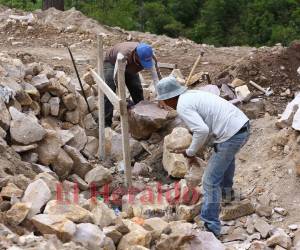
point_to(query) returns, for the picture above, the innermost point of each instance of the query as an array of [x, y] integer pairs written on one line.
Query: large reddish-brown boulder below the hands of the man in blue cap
[[146, 118]]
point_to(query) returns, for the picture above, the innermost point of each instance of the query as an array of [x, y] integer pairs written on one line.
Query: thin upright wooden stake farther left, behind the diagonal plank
[[101, 115]]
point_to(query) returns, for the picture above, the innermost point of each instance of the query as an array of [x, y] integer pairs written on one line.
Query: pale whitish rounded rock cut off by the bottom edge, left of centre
[[89, 235]]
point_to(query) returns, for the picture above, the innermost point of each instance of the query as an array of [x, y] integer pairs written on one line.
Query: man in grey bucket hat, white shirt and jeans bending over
[[210, 118]]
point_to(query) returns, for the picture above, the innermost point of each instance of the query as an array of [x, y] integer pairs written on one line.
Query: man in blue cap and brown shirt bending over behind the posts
[[139, 56]]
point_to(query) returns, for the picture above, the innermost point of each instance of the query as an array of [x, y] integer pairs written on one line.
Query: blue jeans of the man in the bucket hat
[[218, 177]]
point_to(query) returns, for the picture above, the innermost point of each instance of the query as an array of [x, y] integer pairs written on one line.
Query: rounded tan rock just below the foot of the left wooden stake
[[98, 176]]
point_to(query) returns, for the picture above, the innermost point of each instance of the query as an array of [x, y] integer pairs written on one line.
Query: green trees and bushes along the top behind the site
[[218, 22]]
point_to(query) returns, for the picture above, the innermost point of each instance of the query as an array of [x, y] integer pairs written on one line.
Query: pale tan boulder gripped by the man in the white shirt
[[176, 164]]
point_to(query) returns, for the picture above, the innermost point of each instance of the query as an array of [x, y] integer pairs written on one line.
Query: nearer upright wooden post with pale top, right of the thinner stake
[[124, 119]]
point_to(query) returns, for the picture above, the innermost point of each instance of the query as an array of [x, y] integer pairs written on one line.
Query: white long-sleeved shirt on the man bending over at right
[[207, 114]]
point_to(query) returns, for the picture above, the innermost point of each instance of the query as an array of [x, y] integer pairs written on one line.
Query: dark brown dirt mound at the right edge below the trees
[[270, 67]]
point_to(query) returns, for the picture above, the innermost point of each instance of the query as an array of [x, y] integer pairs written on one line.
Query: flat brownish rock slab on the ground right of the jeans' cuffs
[[241, 209]]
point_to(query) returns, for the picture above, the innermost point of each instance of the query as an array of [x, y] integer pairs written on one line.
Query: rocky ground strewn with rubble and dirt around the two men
[[56, 194]]
